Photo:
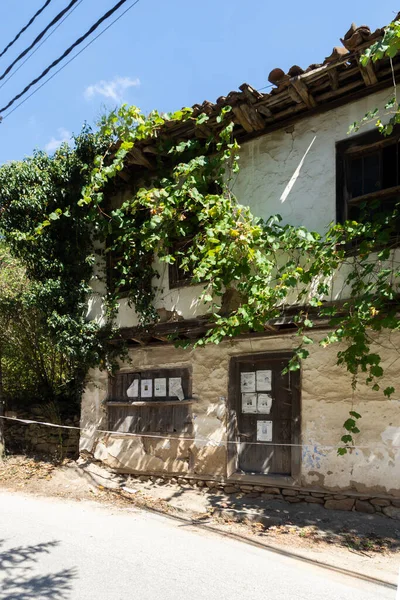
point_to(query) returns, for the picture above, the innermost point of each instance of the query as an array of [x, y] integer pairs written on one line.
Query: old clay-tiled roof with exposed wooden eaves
[[299, 92]]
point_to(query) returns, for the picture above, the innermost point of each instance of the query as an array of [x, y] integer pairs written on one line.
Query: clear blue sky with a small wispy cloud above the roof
[[162, 54]]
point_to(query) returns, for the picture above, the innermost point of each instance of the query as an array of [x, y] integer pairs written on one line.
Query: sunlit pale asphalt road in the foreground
[[55, 549]]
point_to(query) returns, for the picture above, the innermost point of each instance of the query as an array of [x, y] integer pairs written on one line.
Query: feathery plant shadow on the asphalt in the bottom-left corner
[[17, 582]]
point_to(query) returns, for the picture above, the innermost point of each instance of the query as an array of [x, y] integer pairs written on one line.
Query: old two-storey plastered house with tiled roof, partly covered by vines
[[226, 412]]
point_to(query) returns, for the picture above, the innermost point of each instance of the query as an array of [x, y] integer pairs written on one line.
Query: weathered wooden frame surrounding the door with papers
[[232, 432]]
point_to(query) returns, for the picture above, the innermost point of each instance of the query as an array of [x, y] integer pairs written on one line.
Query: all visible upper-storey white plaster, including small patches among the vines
[[290, 172]]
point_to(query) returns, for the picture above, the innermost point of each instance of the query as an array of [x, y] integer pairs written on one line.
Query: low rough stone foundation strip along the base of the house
[[389, 507]]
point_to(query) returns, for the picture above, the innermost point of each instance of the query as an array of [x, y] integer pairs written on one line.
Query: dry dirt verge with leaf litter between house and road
[[367, 545]]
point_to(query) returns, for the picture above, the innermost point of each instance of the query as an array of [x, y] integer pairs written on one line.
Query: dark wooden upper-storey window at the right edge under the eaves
[[368, 177]]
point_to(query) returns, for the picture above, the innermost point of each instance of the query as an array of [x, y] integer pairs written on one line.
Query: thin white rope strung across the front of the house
[[204, 441]]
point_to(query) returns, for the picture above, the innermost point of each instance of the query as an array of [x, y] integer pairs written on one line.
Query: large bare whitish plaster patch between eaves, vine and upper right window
[[292, 171]]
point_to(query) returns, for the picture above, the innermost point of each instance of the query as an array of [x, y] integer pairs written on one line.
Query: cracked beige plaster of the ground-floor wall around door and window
[[327, 398]]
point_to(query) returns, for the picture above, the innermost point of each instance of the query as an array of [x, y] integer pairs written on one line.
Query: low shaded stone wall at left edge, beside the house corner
[[39, 439]]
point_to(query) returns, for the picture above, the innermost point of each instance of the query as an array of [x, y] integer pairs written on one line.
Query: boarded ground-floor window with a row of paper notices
[[156, 401]]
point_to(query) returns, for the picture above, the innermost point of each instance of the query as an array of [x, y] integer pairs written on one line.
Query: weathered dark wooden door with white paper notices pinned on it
[[266, 403]]
